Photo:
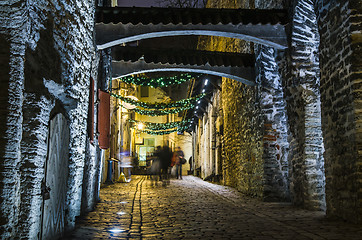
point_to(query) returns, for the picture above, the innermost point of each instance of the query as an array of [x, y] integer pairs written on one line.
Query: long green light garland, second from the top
[[176, 104]]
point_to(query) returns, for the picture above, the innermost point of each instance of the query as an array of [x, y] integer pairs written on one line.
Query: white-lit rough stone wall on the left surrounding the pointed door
[[50, 60]]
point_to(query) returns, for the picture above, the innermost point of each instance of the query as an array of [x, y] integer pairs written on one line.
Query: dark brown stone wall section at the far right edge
[[340, 62]]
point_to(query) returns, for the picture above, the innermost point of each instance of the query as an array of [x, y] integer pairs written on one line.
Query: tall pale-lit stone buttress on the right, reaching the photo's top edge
[[301, 87]]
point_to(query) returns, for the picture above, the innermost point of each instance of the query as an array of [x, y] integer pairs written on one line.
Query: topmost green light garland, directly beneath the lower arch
[[160, 81]]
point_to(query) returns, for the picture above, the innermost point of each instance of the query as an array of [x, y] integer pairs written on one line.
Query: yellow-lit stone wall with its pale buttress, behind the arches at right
[[255, 142]]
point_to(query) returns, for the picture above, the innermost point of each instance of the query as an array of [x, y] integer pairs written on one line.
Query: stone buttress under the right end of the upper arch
[[274, 118]]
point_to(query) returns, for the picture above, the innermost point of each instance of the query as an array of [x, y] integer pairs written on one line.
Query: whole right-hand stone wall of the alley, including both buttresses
[[319, 75]]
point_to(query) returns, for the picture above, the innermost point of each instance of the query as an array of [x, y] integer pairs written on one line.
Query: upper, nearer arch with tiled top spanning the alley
[[122, 25]]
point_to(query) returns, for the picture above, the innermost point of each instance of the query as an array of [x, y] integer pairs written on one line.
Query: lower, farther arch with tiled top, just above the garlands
[[132, 60]]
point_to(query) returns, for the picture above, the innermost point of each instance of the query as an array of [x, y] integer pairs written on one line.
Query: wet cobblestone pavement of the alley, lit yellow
[[194, 209]]
